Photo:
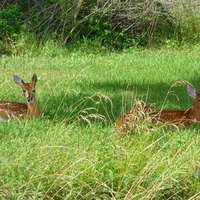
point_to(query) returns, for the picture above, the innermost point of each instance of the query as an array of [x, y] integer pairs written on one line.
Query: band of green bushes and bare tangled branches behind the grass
[[114, 25]]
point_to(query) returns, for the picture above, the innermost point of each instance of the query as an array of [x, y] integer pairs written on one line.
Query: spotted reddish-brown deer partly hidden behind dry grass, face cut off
[[176, 117]]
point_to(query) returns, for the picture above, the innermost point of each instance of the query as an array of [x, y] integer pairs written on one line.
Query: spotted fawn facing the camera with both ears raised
[[15, 110]]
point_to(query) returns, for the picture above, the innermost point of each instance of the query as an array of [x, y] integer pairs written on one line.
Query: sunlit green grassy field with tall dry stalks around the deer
[[73, 152]]
